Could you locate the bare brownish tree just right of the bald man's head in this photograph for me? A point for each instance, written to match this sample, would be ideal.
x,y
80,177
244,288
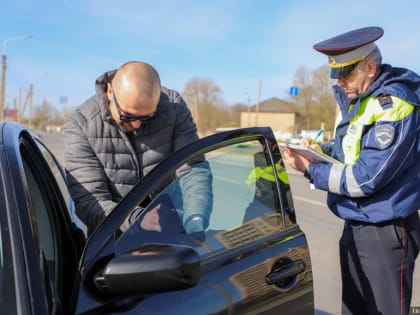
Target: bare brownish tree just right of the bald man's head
x,y
208,108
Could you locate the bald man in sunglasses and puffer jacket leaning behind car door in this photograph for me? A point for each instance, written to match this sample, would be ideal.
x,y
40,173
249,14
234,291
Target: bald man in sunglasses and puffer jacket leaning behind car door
x,y
120,134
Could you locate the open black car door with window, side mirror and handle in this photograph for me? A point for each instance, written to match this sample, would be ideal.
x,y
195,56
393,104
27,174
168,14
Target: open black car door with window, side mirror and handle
x,y
150,257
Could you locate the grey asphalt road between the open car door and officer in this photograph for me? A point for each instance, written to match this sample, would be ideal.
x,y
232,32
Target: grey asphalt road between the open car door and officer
x,y
323,231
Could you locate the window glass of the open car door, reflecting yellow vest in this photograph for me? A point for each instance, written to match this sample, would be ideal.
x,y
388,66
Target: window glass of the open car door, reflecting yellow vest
x,y
240,200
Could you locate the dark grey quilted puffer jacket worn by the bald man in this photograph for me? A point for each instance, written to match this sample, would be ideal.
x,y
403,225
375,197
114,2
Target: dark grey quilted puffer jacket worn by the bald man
x,y
103,165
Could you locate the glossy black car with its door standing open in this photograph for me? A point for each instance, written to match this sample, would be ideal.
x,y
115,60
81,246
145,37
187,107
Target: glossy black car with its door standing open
x,y
252,259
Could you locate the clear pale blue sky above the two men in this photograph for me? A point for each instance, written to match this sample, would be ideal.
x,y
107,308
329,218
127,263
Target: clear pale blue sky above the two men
x,y
240,45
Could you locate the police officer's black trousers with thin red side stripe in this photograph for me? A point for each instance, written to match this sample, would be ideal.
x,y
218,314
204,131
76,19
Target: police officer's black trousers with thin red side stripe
x,y
377,265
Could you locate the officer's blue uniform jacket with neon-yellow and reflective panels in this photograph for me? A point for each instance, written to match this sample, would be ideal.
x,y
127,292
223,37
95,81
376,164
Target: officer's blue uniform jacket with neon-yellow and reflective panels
x,y
378,140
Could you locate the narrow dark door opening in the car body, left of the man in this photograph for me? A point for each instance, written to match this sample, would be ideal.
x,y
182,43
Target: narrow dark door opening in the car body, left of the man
x,y
58,241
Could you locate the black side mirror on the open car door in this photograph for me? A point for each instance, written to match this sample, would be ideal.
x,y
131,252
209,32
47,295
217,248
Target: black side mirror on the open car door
x,y
149,269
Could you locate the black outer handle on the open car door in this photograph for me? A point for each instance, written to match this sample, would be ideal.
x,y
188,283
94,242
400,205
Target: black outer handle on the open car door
x,y
284,272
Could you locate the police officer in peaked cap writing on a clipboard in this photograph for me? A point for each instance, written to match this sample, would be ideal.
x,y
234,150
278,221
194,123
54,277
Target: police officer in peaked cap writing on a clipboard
x,y
377,188
